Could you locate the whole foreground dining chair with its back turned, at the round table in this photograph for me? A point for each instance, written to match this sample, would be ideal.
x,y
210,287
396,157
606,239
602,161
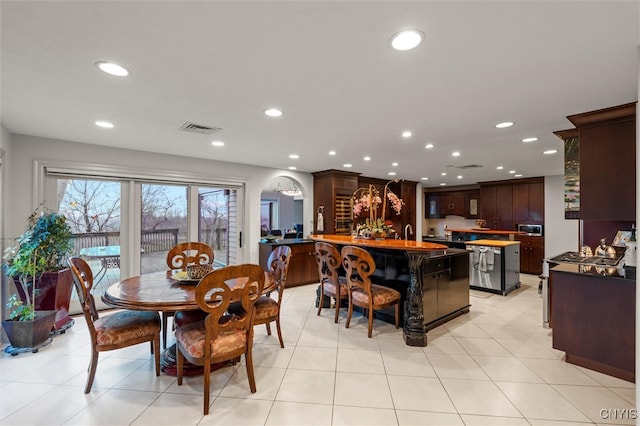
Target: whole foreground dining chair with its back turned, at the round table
x,y
222,336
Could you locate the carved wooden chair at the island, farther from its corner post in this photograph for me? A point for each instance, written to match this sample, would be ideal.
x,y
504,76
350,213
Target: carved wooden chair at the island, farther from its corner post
x,y
331,284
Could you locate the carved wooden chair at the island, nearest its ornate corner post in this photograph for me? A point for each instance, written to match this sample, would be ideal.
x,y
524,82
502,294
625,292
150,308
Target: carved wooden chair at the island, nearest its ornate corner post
x,y
359,265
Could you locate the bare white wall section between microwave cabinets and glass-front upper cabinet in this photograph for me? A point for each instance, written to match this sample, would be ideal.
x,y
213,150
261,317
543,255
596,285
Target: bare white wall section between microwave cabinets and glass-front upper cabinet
x,y
560,234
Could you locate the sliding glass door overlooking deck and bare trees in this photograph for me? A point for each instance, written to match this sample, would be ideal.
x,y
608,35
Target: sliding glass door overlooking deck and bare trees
x,y
125,227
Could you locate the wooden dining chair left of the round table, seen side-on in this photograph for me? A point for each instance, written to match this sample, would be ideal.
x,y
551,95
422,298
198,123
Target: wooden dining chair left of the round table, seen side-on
x,y
118,330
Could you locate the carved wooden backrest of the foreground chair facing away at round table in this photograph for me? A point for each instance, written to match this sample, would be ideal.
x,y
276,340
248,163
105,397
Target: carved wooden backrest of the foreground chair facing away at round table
x,y
239,284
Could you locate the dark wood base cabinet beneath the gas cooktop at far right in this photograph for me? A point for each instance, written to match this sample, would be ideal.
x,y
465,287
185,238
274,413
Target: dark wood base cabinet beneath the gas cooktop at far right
x,y
594,314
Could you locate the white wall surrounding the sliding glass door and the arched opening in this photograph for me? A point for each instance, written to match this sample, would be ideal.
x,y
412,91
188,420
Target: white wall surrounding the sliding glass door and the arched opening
x,y
24,150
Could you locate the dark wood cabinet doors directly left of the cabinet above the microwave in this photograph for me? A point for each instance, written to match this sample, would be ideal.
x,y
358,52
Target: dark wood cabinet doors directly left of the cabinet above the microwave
x,y
496,204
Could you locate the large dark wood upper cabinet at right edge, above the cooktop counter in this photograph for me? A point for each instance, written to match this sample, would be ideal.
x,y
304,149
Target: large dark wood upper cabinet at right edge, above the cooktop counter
x,y
607,139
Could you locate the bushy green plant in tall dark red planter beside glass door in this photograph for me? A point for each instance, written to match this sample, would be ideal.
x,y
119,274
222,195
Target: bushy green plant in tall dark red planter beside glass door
x,y
37,266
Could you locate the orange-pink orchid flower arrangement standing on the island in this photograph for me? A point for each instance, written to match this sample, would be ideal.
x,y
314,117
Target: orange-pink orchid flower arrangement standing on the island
x,y
369,200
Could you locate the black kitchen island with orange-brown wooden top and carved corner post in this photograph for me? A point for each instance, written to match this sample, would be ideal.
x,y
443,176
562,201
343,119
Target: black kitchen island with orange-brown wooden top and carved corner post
x,y
406,266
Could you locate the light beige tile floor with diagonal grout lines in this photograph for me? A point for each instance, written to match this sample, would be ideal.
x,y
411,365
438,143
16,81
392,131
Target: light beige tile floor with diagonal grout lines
x,y
492,366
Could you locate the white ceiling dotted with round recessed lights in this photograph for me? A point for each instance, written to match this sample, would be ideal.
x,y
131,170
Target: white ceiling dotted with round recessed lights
x,y
329,66
